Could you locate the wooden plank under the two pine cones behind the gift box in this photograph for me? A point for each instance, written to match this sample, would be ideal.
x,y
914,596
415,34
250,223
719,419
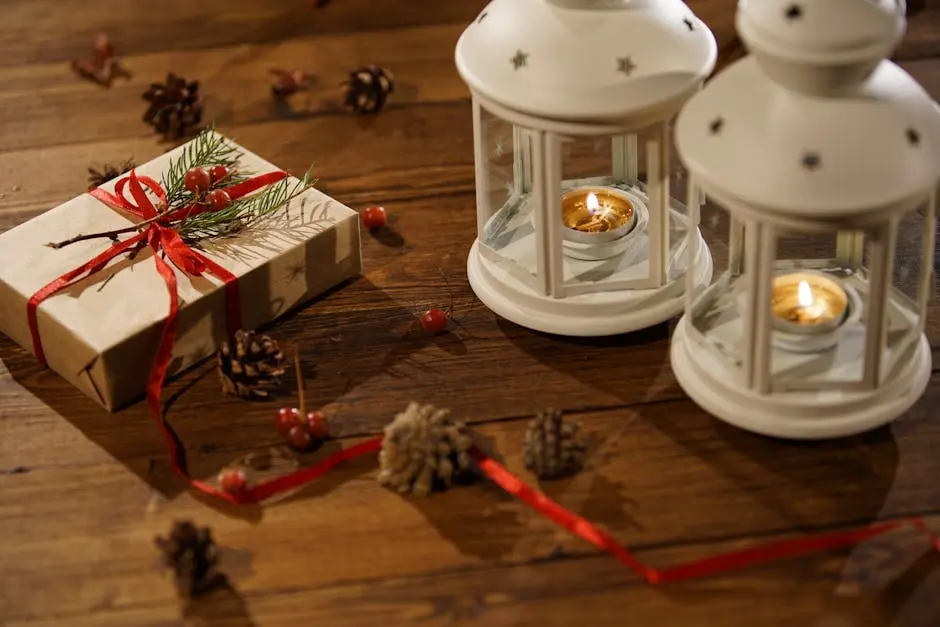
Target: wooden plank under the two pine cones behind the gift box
x,y
58,108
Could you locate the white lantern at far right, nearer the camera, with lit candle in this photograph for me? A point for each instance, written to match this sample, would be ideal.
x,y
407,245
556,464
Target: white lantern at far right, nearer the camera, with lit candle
x,y
826,158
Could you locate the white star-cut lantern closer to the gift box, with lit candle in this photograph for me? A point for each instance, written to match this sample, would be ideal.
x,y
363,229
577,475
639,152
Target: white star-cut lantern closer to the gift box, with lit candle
x,y
569,98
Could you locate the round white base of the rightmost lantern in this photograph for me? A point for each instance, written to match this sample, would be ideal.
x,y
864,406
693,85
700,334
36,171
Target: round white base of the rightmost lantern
x,y
803,415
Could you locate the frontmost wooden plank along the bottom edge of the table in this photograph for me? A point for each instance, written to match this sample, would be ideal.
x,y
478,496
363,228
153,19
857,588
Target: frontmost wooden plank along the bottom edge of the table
x,y
827,591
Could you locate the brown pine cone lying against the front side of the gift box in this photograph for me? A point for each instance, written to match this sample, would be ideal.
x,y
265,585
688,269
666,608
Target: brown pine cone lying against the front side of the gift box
x,y
250,365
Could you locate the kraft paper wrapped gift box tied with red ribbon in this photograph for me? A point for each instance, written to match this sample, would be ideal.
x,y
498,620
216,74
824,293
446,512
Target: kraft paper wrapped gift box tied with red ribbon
x,y
102,333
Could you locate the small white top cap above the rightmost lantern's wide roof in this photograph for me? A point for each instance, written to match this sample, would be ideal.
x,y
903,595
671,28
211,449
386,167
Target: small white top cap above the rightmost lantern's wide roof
x,y
819,28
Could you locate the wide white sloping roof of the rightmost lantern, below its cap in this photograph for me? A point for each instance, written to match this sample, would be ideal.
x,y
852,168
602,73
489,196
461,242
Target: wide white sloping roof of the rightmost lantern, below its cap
x,y
784,151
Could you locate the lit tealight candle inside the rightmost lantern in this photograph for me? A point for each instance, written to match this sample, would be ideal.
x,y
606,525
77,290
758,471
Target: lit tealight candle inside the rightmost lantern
x,y
806,302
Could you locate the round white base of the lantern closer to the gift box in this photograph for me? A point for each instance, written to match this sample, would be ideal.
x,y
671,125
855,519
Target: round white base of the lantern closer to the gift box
x,y
585,315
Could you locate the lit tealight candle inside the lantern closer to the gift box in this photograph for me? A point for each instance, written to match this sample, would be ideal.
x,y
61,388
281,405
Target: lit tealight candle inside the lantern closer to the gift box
x,y
594,215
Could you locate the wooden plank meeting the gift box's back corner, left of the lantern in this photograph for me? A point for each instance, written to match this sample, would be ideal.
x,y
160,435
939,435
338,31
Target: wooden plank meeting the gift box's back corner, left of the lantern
x,y
405,152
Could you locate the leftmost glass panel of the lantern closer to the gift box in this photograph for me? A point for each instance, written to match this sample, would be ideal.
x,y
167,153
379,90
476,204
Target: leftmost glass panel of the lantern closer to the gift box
x,y
508,233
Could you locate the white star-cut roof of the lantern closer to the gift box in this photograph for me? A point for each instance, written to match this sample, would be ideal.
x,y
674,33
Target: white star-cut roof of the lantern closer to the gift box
x,y
586,60
